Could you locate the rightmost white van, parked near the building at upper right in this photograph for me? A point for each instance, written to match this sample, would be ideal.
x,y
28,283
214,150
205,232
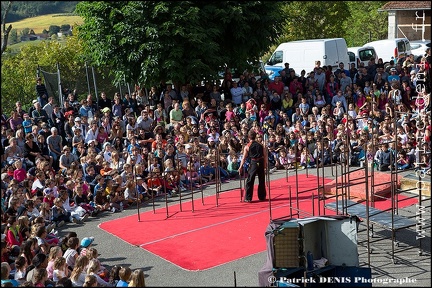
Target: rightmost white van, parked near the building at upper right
x,y
390,49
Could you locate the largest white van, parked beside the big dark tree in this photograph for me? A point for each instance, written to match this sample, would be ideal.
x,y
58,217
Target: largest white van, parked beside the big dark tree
x,y
302,54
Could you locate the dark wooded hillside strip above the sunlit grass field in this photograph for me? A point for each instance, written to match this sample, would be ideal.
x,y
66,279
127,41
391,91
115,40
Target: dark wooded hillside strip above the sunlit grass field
x,y
27,9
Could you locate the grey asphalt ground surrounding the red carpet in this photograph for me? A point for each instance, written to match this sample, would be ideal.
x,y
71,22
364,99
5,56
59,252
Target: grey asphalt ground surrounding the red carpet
x,y
406,269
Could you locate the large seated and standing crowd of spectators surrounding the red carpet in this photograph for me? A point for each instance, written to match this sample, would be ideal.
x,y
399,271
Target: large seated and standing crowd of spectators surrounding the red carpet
x,y
64,163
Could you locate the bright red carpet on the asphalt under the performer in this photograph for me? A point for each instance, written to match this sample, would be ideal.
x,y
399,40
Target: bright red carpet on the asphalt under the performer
x,y
212,236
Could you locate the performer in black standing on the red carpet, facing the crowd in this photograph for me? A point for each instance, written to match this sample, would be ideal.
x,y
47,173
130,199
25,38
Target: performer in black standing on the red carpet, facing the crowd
x,y
257,154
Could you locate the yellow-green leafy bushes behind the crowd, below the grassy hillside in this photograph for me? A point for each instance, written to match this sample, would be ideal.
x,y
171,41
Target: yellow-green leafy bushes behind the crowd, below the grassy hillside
x,y
19,71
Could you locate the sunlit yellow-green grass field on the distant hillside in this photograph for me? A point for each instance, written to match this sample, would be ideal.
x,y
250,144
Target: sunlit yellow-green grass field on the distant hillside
x,y
39,23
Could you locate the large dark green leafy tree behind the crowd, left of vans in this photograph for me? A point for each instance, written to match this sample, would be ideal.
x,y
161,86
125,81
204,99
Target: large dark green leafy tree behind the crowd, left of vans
x,y
149,41
